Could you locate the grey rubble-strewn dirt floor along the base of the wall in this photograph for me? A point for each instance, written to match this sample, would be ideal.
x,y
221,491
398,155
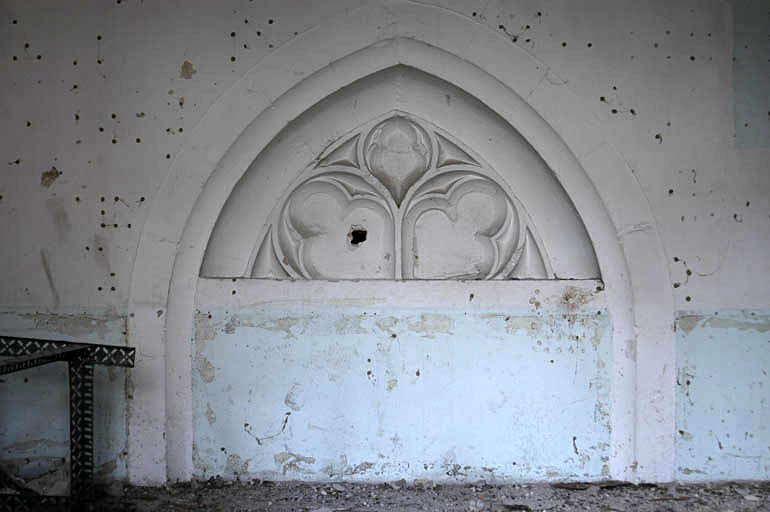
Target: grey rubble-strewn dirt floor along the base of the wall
x,y
219,495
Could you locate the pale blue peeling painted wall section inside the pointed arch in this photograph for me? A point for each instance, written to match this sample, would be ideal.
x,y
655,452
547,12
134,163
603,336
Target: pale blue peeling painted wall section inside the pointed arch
x,y
381,394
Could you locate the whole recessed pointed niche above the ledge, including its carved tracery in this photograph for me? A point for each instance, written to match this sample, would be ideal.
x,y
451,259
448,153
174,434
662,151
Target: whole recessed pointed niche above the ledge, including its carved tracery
x,y
438,183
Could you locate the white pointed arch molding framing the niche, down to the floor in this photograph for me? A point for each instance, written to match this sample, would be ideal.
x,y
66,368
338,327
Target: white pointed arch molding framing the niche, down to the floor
x,y
488,67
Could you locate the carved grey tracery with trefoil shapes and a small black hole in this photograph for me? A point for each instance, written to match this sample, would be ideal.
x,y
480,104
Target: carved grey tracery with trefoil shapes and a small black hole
x,y
399,199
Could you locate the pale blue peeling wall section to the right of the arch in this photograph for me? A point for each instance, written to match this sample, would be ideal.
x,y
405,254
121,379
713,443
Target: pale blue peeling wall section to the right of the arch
x,y
723,388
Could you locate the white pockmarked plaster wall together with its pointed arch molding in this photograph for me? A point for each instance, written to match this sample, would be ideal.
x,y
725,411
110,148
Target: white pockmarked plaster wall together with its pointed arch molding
x,y
631,105
